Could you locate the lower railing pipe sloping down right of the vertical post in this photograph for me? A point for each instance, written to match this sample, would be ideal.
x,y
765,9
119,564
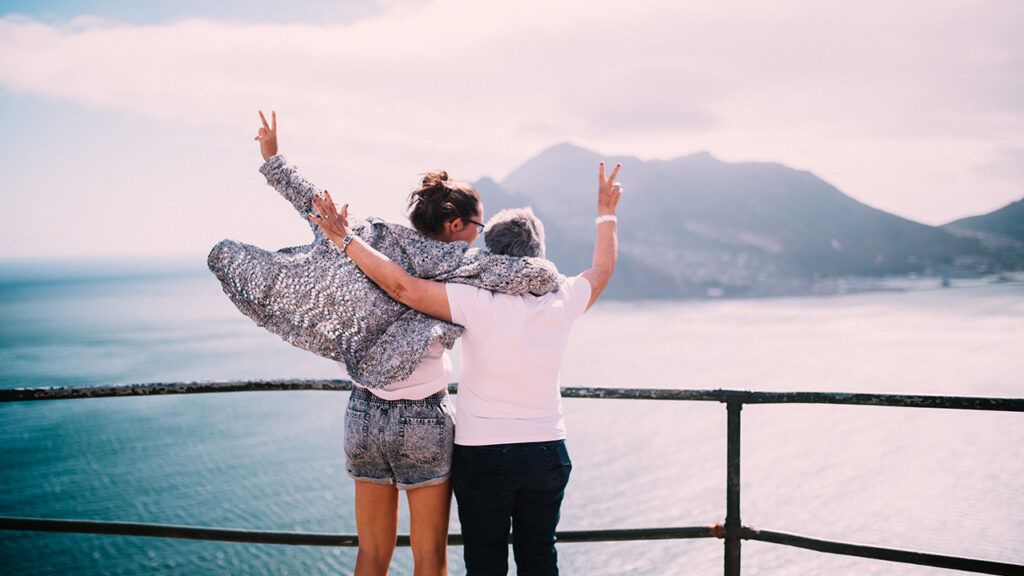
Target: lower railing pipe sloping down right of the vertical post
x,y
875,553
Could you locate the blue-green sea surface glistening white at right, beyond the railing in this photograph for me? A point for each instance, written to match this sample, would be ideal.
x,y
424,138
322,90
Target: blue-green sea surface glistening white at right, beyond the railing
x,y
938,481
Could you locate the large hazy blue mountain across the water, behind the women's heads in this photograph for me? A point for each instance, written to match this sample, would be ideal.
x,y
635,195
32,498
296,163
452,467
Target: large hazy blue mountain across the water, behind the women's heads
x,y
695,227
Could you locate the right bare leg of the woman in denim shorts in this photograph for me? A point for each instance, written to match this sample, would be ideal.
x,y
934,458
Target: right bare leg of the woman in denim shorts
x,y
430,509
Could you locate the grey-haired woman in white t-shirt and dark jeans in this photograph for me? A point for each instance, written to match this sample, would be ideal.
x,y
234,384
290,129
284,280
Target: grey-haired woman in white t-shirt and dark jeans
x,y
510,468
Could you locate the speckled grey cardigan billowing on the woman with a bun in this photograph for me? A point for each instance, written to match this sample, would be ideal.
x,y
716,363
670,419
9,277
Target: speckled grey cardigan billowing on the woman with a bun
x,y
315,297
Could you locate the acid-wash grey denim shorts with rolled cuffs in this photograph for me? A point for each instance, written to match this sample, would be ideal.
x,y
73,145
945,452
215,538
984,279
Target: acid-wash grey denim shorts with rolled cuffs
x,y
406,443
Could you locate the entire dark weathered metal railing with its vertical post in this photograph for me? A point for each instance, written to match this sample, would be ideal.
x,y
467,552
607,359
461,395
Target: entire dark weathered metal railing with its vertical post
x,y
733,532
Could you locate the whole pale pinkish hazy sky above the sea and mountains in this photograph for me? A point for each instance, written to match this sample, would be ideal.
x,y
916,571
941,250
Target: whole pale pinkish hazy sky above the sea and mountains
x,y
129,130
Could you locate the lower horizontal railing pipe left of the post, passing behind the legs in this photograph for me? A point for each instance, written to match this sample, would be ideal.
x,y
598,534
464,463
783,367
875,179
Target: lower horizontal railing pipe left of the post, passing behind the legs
x,y
311,540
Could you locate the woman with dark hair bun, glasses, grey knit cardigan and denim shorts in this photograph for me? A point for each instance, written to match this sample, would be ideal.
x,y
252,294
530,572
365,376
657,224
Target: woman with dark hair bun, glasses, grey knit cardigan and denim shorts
x,y
400,421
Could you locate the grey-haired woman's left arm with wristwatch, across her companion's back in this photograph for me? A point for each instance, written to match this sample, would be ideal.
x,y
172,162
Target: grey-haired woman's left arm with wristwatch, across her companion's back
x,y
425,296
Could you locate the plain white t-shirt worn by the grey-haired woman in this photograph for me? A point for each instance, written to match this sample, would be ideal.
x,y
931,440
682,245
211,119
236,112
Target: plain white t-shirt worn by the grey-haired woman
x,y
513,352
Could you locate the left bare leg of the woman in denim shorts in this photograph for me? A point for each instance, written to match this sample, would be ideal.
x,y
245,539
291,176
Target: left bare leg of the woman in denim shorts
x,y
377,526
